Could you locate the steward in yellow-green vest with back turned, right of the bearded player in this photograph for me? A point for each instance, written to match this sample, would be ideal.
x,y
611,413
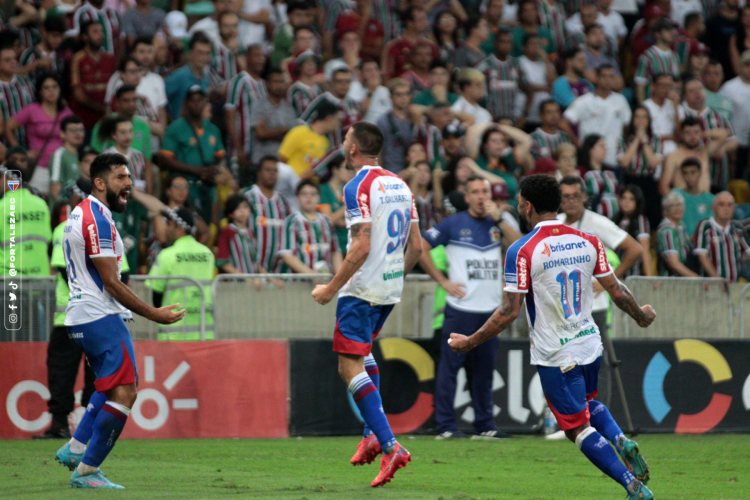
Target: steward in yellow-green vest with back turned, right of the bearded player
x,y
184,257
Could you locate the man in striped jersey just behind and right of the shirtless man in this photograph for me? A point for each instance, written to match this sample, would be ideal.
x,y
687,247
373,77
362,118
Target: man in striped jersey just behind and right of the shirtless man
x,y
714,126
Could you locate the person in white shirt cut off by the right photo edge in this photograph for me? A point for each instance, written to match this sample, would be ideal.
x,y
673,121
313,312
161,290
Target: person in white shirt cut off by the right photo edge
x,y
737,90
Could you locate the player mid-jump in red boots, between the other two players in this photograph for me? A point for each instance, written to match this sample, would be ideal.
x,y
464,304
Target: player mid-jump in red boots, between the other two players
x,y
384,245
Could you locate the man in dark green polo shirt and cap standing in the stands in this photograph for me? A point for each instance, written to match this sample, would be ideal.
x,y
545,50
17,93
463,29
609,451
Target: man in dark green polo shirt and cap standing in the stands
x,y
193,147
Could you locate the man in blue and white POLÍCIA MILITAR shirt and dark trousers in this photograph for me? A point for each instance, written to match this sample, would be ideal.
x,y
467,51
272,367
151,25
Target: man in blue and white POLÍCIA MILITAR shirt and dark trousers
x,y
472,242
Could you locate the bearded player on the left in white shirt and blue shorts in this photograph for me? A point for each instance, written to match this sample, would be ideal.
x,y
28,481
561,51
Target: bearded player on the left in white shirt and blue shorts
x,y
95,317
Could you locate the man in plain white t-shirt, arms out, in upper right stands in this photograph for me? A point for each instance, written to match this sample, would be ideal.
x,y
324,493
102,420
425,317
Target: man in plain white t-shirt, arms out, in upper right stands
x,y
600,112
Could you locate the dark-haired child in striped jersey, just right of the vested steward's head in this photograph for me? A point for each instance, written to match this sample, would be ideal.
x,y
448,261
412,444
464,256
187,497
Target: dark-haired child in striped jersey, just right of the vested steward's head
x,y
237,253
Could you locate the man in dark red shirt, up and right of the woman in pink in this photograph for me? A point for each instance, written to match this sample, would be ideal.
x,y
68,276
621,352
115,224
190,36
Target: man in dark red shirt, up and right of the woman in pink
x,y
90,70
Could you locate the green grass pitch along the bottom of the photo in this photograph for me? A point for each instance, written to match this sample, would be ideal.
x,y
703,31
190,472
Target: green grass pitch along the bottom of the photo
x,y
708,467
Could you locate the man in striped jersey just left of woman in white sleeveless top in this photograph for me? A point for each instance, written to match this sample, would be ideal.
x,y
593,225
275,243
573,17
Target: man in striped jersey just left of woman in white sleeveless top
x,y
504,78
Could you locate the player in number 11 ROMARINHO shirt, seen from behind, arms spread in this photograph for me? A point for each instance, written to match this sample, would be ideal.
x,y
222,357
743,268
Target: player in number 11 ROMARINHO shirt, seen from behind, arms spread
x,y
552,267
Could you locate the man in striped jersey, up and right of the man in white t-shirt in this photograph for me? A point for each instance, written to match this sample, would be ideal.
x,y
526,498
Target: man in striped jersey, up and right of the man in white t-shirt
x,y
657,59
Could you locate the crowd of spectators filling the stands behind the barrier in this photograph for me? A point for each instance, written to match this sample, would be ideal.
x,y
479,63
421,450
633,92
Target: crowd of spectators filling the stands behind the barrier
x,y
231,115
